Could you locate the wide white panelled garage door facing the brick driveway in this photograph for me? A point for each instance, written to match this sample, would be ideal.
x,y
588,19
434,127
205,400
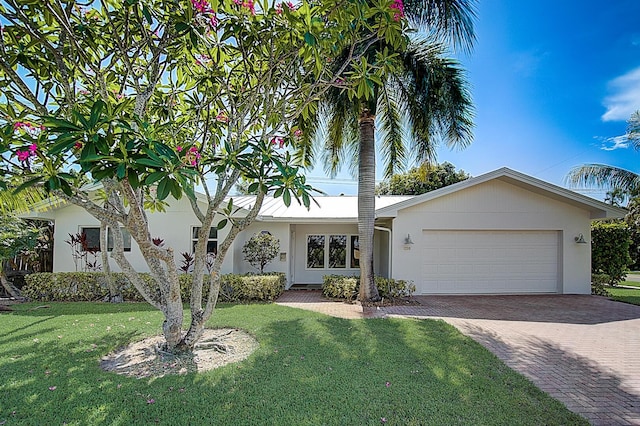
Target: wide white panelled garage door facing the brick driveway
x,y
485,262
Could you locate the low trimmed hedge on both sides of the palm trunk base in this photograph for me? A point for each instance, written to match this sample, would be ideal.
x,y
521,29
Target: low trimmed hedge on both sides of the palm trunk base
x,y
347,287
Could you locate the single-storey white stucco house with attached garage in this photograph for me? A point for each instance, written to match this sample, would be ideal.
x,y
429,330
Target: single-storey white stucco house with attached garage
x,y
503,232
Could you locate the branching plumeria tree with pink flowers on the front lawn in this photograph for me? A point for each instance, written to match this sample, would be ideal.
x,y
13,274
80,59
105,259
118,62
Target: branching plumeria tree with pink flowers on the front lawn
x,y
151,98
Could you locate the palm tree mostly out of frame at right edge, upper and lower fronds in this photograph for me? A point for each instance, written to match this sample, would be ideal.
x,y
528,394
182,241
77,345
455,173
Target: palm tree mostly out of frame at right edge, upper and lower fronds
x,y
605,176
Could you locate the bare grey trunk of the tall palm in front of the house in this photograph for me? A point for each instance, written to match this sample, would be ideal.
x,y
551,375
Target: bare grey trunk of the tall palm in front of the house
x,y
366,206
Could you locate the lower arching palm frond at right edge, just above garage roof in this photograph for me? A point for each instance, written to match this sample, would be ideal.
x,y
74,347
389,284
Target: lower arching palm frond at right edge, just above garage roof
x,y
604,176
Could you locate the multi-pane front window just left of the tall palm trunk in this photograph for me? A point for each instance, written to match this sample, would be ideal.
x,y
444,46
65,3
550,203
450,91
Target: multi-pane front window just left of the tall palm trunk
x,y
332,252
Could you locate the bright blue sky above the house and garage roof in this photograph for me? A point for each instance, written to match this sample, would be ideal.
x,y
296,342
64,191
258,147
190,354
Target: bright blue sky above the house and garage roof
x,y
553,83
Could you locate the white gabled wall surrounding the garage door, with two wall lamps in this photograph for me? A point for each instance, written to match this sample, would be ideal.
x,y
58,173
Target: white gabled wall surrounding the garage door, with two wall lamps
x,y
496,205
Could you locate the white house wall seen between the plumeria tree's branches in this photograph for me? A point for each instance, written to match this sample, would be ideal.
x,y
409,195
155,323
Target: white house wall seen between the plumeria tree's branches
x,y
173,226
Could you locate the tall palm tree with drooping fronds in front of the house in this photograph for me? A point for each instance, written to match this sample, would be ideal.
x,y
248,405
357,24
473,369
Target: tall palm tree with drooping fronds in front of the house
x,y
428,91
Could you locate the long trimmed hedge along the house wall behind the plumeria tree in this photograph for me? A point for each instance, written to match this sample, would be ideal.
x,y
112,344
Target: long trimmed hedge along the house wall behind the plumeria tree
x,y
92,286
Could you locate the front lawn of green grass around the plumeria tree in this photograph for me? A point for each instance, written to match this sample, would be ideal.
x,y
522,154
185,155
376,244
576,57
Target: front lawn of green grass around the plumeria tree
x,y
310,369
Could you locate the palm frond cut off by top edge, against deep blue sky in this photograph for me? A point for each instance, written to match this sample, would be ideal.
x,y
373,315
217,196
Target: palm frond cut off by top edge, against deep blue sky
x,y
451,21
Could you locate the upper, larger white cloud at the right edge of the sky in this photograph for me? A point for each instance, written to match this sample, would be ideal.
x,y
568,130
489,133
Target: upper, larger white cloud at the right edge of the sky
x,y
625,99
